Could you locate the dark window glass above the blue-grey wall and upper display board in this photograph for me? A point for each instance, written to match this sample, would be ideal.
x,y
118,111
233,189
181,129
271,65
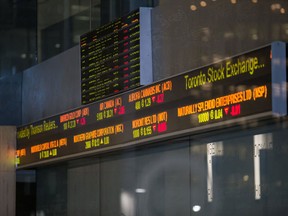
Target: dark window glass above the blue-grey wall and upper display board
x,y
60,23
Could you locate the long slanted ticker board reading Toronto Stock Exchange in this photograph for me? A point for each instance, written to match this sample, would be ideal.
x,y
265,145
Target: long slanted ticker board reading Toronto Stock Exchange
x,y
226,92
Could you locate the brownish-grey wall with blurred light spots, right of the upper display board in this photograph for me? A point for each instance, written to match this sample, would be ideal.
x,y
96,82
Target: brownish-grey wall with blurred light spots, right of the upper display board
x,y
184,39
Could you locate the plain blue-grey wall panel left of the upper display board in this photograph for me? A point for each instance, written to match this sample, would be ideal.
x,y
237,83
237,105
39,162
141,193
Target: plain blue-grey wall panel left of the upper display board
x,y
52,87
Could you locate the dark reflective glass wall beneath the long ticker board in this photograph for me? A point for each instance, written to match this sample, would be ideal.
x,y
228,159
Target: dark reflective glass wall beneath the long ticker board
x,y
241,173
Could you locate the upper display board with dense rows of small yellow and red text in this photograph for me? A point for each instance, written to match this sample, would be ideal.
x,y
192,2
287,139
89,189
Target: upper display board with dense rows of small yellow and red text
x,y
110,57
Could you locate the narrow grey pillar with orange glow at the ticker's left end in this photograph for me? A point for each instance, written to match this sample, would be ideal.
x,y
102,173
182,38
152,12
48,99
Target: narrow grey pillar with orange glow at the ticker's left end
x,y
7,170
